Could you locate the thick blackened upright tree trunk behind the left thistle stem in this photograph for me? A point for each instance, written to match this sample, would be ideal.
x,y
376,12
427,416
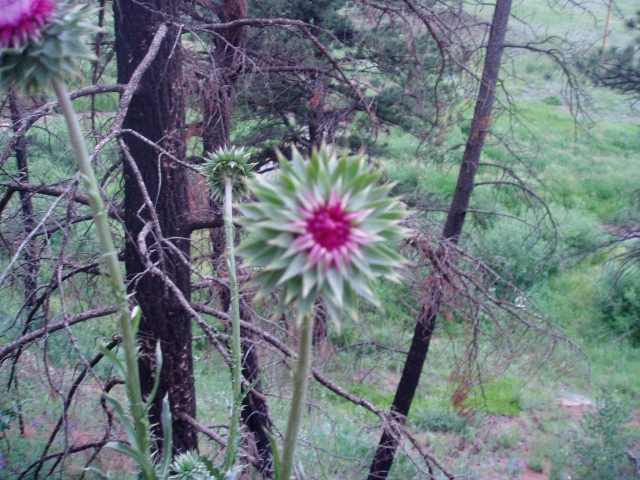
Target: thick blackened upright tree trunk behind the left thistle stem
x,y
157,111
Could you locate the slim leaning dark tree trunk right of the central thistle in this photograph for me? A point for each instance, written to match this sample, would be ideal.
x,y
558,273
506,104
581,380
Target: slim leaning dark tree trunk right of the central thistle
x,y
426,321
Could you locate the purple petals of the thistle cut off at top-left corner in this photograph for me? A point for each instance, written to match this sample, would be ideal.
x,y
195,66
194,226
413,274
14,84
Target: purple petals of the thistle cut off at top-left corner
x,y
21,20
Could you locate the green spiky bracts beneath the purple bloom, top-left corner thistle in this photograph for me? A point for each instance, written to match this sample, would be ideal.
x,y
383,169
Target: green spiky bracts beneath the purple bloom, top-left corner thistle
x,y
52,56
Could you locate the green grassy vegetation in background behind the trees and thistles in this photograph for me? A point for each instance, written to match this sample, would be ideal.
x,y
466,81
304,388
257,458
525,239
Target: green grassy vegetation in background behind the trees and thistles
x,y
571,416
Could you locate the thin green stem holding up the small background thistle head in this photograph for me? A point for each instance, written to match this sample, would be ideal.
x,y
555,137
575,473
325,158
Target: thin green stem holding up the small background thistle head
x,y
236,352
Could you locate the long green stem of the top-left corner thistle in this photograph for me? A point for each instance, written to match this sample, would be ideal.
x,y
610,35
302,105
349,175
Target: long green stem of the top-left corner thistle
x,y
110,255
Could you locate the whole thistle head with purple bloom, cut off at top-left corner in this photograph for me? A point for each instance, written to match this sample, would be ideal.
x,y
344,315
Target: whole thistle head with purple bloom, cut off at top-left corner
x,y
40,41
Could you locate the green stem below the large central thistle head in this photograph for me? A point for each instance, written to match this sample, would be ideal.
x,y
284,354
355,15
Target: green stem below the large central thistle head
x,y
299,395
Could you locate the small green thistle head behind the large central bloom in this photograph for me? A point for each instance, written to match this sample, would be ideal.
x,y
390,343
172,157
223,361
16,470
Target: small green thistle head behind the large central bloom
x,y
227,163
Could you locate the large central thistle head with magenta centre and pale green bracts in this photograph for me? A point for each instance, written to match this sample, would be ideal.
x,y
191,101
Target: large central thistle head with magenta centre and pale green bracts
x,y
322,232
